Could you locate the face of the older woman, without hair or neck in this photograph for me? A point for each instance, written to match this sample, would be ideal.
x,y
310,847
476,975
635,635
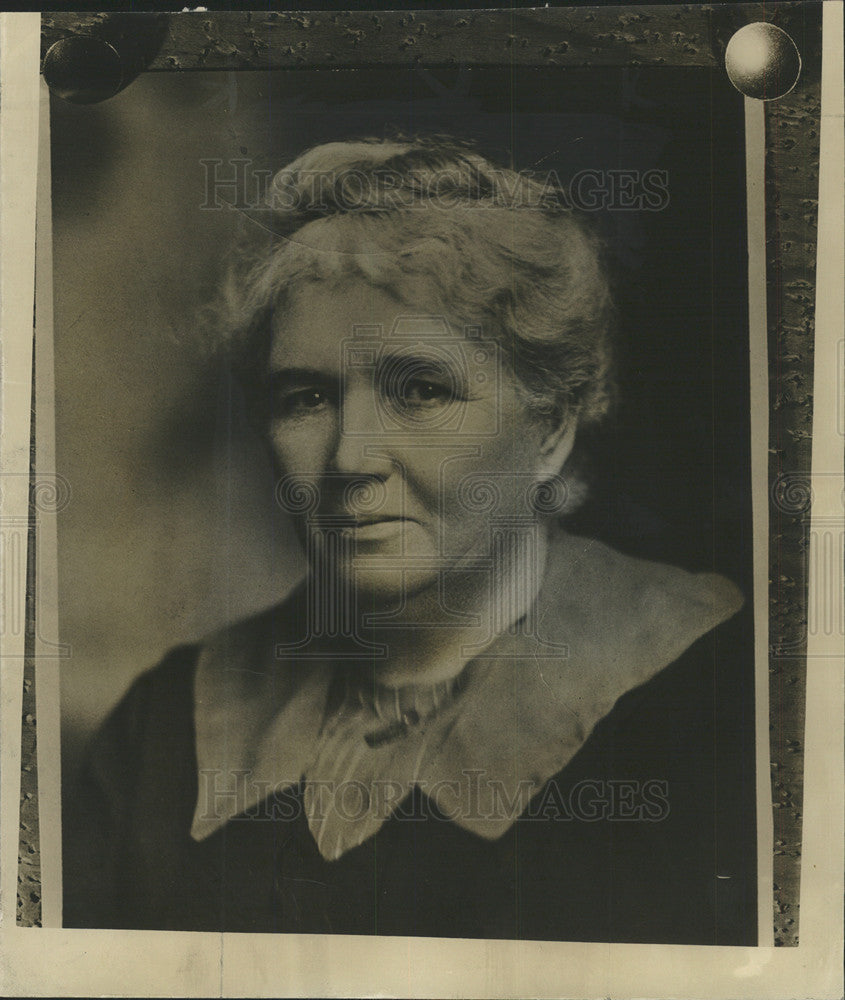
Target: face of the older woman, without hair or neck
x,y
408,433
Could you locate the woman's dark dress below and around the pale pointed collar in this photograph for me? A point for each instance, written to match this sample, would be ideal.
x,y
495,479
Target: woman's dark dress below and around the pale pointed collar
x,y
647,835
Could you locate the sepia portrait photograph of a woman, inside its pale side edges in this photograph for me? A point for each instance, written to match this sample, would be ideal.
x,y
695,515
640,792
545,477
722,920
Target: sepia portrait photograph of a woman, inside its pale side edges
x,y
411,470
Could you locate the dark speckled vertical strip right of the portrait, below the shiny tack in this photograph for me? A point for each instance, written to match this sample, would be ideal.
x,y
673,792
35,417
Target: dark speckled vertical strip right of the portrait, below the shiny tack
x,y
792,185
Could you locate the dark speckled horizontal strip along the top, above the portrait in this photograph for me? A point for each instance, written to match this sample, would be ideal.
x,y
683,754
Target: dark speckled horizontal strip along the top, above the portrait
x,y
598,36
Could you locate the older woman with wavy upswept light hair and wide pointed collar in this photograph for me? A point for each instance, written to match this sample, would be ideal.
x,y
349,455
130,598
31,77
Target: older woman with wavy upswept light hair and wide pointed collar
x,y
464,721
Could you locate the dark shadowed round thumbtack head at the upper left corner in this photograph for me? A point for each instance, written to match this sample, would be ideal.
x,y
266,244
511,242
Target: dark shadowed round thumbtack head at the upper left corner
x,y
83,69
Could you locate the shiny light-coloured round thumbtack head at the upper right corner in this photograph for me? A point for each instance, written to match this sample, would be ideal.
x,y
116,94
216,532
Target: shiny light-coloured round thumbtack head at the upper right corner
x,y
762,61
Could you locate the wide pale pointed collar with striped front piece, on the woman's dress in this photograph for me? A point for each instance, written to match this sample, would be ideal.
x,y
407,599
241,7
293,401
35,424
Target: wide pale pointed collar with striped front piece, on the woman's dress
x,y
603,624
